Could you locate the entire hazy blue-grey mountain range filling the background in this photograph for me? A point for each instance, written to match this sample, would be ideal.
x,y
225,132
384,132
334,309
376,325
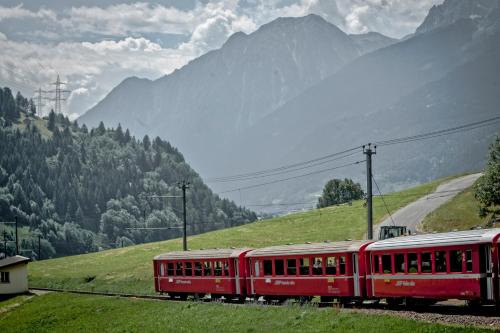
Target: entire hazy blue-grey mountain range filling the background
x,y
299,88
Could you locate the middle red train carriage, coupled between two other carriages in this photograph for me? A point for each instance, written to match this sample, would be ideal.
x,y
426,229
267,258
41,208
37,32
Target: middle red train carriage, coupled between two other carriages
x,y
330,270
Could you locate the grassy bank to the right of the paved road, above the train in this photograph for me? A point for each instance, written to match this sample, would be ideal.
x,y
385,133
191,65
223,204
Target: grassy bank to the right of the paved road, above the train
x,y
459,213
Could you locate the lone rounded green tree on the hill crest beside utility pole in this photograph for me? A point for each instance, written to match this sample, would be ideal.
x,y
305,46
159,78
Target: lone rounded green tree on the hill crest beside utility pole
x,y
338,191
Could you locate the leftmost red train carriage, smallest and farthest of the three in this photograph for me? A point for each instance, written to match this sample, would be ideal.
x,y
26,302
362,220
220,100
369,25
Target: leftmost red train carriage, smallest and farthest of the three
x,y
218,272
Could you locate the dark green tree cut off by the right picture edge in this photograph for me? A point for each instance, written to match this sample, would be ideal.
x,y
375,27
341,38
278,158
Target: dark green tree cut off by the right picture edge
x,y
487,188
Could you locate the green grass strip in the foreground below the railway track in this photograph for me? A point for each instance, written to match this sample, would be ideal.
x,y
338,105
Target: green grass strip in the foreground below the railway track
x,y
81,313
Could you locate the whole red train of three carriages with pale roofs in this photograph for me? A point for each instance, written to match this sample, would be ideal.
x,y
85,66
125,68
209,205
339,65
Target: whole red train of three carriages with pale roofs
x,y
414,269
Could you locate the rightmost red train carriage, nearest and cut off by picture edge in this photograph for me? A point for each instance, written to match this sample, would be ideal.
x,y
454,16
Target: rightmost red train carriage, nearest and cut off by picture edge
x,y
453,265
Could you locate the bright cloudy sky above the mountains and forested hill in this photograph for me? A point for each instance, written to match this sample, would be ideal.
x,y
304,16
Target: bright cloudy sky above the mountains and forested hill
x,y
93,45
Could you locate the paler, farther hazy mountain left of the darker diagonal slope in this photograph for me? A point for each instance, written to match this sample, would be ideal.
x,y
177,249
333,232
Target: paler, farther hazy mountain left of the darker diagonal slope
x,y
203,106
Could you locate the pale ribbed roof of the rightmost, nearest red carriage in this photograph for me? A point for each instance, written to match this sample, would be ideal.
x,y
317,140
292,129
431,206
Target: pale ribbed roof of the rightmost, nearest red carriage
x,y
440,239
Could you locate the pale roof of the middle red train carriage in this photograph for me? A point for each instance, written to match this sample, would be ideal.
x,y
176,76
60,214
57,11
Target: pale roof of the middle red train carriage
x,y
313,248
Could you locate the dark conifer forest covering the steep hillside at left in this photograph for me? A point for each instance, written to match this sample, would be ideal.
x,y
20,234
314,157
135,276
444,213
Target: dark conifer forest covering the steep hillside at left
x,y
82,189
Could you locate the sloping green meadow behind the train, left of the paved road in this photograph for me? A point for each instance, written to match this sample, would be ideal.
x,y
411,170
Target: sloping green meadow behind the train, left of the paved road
x,y
129,269
